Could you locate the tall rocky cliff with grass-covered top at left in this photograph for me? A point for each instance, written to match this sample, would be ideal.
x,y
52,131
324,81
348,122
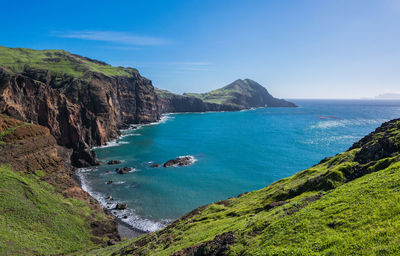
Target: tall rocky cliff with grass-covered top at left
x,y
83,102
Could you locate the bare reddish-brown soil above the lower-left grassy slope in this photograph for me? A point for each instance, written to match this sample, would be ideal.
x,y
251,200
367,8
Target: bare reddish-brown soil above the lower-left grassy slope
x,y
29,148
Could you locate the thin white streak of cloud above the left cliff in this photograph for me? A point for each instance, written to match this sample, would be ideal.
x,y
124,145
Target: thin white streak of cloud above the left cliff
x,y
114,37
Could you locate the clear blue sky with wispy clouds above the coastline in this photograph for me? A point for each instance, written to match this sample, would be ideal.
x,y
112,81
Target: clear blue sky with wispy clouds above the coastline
x,y
296,49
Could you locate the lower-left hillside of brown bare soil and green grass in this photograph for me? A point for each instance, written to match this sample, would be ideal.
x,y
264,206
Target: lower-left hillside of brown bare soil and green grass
x,y
42,211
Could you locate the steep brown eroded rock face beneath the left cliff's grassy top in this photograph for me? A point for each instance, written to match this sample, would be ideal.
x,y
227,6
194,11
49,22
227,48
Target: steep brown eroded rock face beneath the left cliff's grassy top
x,y
80,112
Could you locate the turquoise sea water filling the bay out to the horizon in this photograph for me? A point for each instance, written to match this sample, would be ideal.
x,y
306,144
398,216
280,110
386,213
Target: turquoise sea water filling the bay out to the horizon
x,y
235,152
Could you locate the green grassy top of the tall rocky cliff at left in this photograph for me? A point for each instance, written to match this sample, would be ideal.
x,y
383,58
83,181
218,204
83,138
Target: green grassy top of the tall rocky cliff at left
x,y
59,62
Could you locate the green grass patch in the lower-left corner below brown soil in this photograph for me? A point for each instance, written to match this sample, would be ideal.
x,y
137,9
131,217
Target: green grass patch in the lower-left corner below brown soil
x,y
36,220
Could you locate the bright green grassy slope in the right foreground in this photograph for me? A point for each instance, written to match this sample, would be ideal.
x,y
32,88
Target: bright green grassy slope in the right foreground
x,y
324,210
